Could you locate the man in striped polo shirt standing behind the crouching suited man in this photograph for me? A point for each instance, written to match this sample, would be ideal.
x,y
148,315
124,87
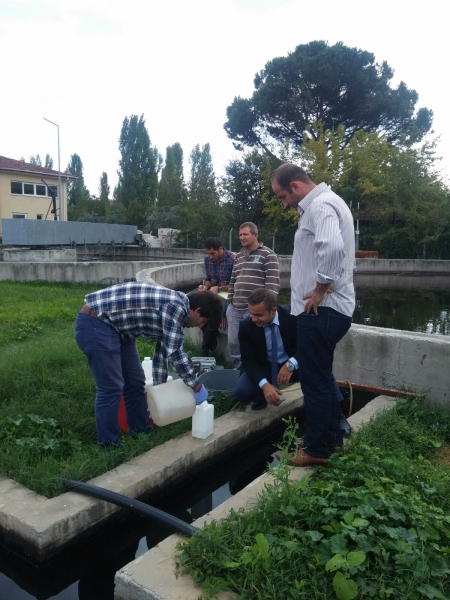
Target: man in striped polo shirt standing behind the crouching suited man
x,y
256,266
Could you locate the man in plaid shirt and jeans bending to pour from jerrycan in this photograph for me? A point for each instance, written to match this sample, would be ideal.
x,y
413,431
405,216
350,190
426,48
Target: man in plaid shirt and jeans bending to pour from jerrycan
x,y
105,330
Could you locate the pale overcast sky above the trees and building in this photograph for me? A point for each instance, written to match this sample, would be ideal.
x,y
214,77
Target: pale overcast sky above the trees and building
x,y
86,64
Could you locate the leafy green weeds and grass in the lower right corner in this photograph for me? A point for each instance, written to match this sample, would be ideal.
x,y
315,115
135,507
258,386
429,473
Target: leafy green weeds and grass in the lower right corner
x,y
374,524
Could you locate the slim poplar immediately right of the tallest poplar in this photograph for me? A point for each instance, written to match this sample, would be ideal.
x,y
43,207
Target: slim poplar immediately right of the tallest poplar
x,y
172,189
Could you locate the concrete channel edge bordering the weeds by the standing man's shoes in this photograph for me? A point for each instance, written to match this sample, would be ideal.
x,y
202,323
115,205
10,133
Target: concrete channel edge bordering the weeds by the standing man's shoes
x,y
152,575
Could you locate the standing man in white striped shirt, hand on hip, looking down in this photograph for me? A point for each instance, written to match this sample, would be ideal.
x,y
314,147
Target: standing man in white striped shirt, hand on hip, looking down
x,y
323,299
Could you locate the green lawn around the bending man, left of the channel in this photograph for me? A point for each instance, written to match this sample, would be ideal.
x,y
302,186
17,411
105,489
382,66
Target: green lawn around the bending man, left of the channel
x,y
43,373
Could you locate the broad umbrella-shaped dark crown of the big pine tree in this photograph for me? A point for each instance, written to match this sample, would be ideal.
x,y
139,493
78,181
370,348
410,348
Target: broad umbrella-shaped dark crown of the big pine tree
x,y
333,84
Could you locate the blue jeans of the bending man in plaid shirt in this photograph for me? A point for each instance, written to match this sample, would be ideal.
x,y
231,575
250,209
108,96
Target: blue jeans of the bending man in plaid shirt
x,y
116,367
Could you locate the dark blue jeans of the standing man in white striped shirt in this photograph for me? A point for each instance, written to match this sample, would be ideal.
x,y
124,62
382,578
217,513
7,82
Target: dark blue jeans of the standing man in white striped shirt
x,y
317,337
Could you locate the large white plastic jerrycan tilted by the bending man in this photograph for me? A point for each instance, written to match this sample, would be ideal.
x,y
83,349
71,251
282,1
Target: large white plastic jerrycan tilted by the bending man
x,y
170,402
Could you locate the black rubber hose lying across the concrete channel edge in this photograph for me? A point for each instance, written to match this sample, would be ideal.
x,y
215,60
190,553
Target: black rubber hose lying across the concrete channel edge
x,y
135,505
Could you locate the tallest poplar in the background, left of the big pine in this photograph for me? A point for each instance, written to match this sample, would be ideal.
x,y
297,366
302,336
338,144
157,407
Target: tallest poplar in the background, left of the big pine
x,y
139,166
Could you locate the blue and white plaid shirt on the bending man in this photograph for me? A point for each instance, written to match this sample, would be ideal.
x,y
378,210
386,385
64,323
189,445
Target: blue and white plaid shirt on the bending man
x,y
143,309
